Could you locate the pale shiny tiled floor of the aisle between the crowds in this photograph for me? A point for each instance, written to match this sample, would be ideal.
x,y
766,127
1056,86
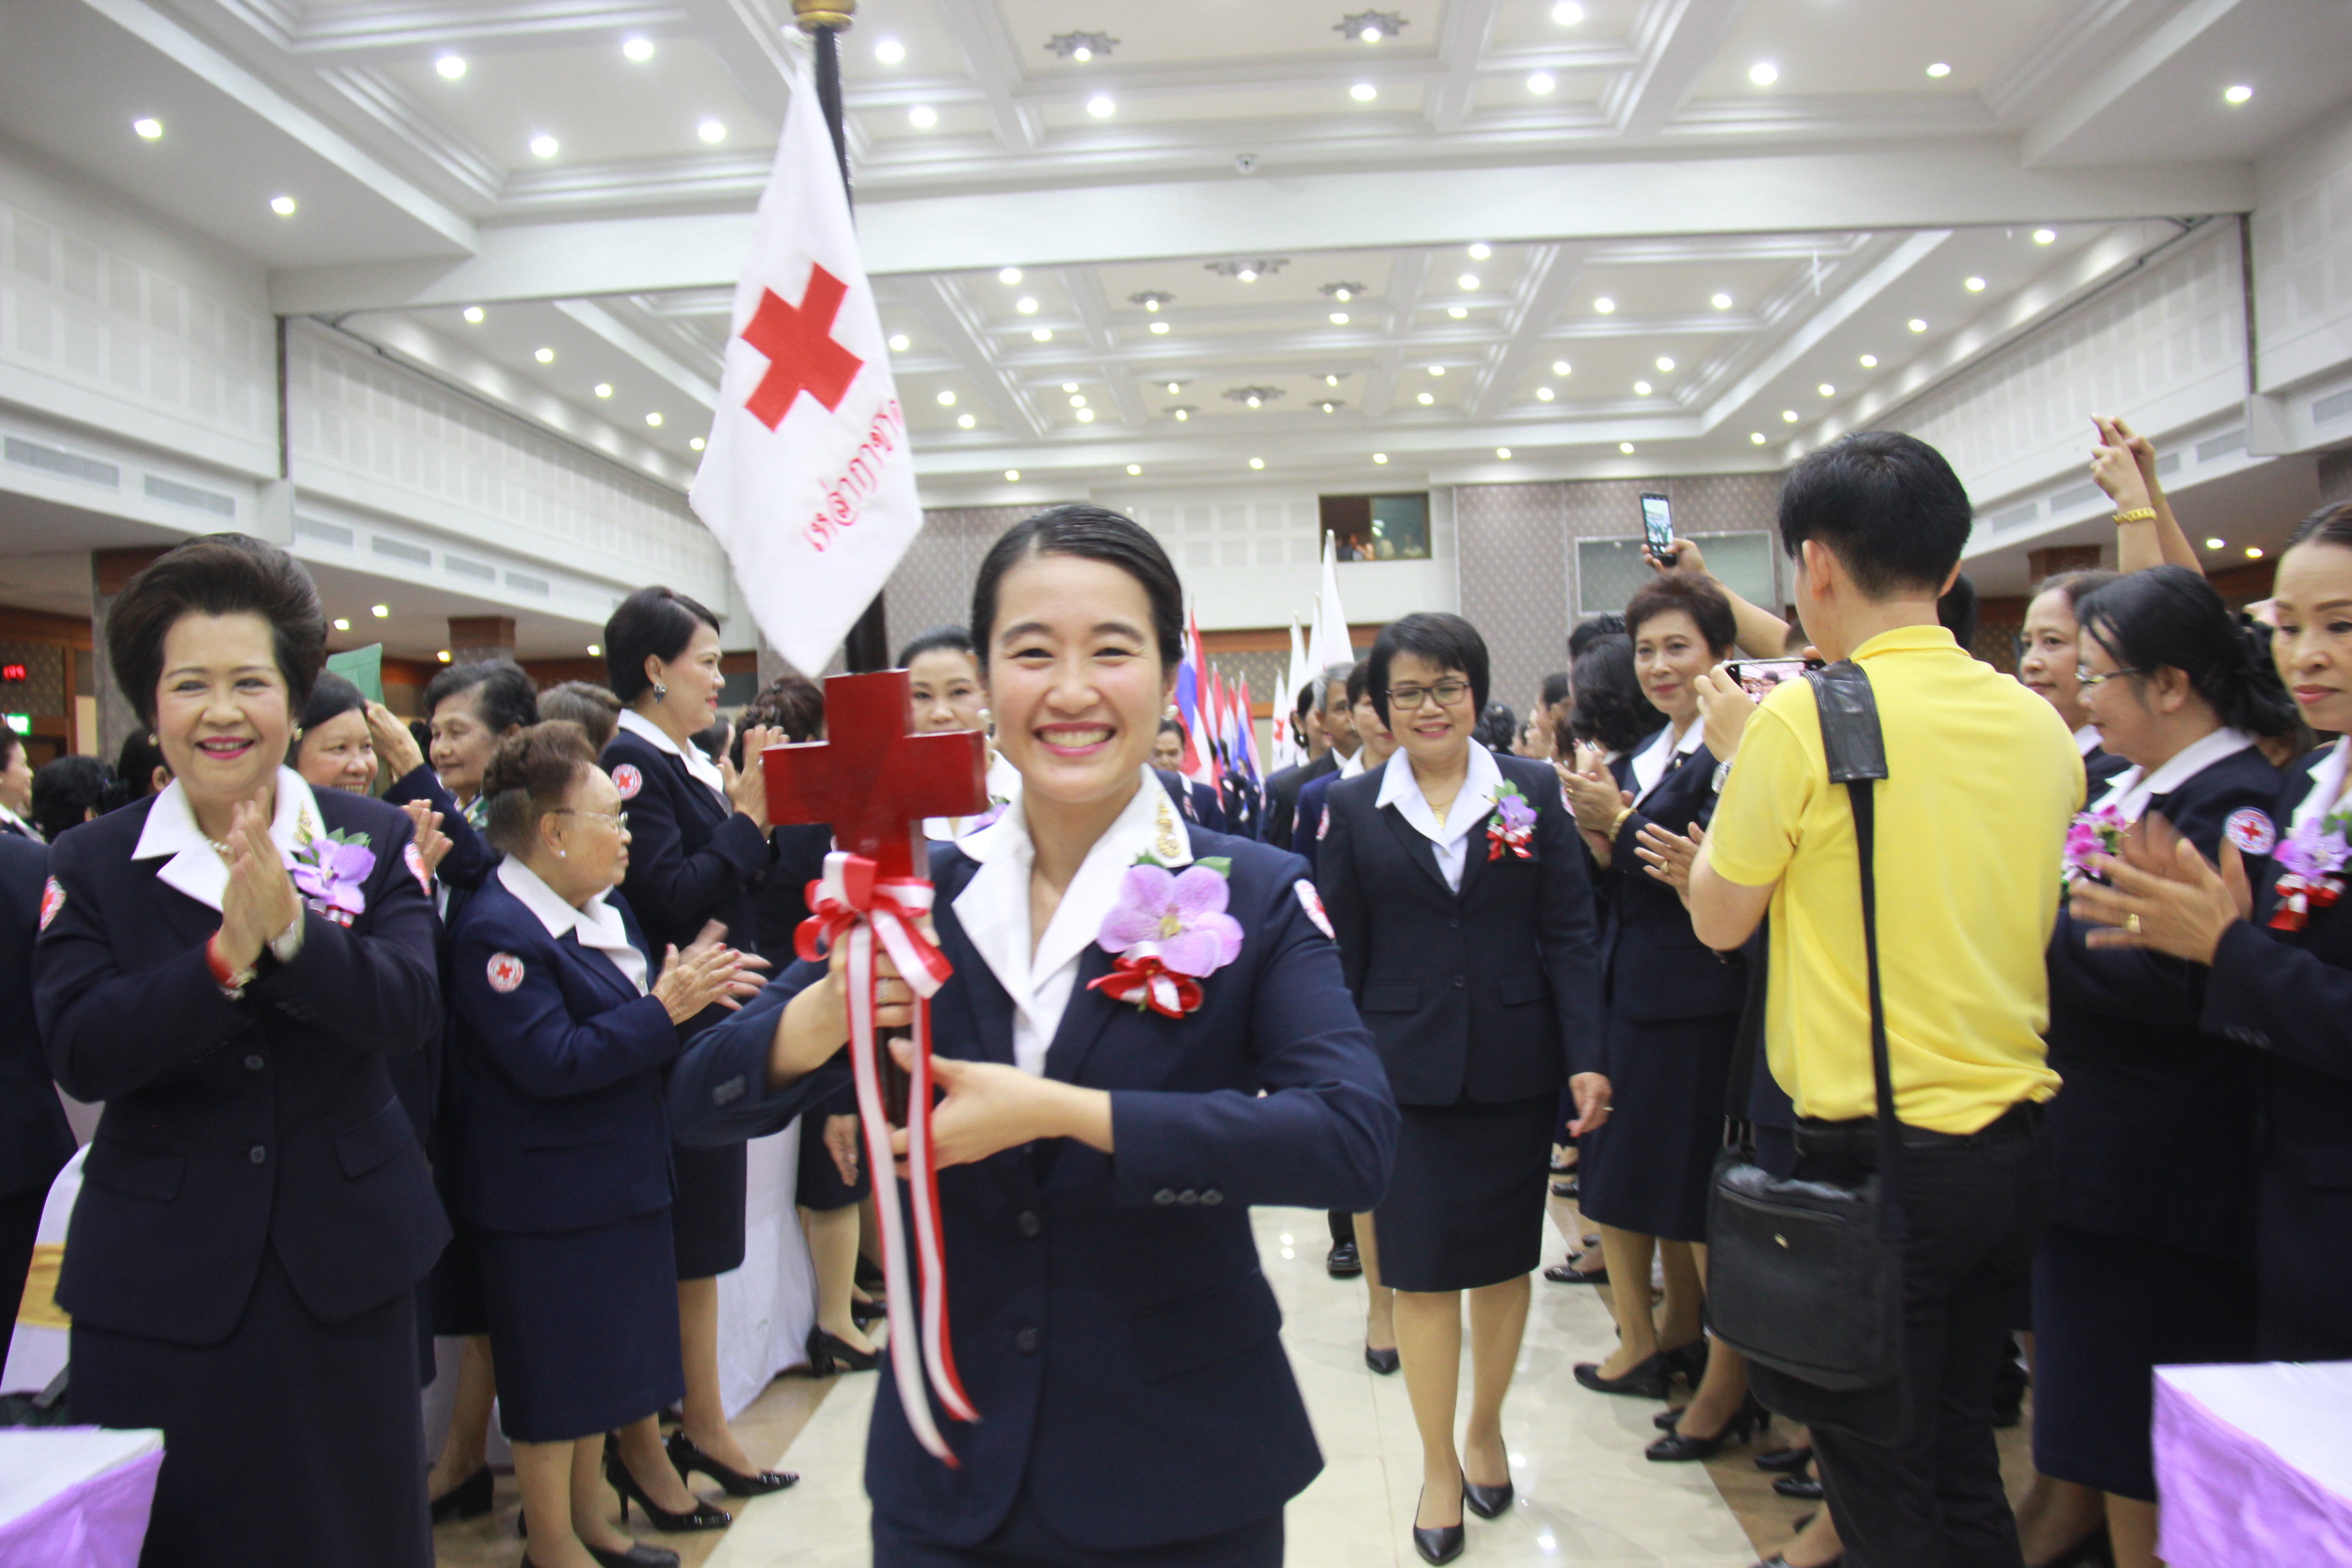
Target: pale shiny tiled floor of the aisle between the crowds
x,y
1586,1494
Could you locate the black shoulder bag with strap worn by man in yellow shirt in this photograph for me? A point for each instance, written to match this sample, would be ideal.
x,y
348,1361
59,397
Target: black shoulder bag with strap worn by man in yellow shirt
x,y
1805,1278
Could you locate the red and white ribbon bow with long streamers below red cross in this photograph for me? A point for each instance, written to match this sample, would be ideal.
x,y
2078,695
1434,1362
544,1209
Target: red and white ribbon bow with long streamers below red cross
x,y
853,902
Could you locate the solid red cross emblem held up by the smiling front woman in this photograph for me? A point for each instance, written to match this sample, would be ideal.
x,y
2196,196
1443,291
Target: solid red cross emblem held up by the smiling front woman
x,y
871,779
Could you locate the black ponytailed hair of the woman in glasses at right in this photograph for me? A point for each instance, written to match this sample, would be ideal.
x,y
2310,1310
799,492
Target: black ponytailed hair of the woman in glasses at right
x,y
2170,617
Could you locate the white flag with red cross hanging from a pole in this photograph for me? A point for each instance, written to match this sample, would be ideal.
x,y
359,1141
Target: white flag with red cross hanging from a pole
x,y
808,483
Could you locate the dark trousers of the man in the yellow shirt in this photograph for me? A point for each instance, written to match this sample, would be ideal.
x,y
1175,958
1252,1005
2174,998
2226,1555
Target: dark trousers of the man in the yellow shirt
x,y
1975,1212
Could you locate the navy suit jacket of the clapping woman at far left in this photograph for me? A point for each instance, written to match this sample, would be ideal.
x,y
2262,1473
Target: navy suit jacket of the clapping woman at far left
x,y
236,1125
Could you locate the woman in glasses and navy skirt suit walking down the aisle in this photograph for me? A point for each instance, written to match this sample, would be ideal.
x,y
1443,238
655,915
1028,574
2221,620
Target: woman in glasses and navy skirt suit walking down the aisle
x,y
1466,934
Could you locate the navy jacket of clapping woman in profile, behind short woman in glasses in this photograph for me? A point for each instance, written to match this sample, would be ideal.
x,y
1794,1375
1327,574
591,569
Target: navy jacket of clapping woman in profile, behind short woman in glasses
x,y
690,855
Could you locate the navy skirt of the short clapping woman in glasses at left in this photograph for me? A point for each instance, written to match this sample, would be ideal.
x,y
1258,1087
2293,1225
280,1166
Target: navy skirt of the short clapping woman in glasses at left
x,y
582,1327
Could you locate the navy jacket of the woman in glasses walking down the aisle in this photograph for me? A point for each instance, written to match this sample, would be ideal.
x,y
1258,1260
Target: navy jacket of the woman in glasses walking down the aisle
x,y
1481,996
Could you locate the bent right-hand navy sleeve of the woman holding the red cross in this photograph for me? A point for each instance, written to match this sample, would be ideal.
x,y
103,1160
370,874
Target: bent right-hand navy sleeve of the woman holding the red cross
x,y
1323,1134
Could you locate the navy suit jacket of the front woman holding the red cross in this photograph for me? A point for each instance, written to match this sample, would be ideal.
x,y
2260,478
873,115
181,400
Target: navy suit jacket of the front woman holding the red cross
x,y
1109,1313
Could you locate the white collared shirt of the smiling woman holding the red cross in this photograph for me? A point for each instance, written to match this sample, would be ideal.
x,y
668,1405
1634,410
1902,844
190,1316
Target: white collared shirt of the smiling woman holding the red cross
x,y
996,911
